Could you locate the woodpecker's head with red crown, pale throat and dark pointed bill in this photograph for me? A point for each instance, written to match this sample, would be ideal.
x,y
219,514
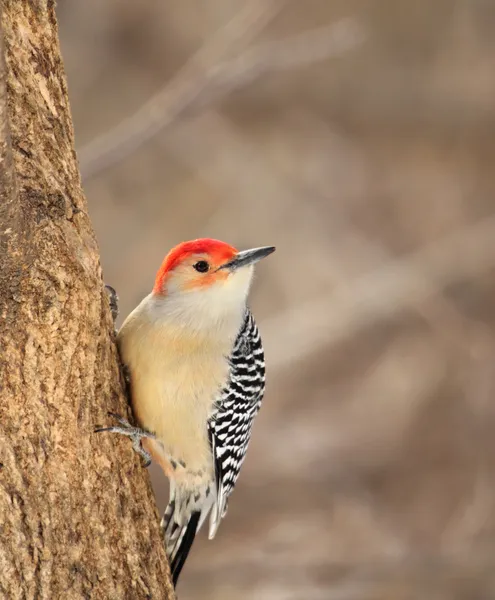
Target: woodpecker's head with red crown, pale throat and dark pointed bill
x,y
208,276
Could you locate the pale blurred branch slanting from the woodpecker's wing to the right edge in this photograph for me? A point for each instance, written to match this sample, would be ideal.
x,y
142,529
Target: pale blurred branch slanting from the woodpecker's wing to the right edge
x,y
399,284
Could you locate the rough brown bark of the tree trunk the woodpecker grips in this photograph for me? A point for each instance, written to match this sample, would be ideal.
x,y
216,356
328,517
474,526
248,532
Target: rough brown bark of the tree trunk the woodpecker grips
x,y
77,514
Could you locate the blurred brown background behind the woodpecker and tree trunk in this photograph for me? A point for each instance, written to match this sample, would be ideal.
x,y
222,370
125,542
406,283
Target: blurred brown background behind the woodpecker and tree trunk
x,y
364,151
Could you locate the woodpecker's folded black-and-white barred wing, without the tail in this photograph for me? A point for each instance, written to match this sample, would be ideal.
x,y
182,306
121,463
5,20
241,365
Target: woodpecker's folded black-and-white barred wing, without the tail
x,y
230,427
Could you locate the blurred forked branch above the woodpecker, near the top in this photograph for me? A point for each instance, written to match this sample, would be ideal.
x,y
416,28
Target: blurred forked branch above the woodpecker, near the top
x,y
220,76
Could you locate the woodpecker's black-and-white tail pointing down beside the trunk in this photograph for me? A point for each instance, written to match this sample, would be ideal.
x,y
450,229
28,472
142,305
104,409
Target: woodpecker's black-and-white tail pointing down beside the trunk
x,y
181,521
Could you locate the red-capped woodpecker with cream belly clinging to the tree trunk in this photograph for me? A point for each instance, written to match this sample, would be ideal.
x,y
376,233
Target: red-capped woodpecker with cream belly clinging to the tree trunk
x,y
196,370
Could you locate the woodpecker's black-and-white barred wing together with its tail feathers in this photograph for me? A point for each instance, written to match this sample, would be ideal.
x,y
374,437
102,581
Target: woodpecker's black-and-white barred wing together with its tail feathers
x,y
229,430
